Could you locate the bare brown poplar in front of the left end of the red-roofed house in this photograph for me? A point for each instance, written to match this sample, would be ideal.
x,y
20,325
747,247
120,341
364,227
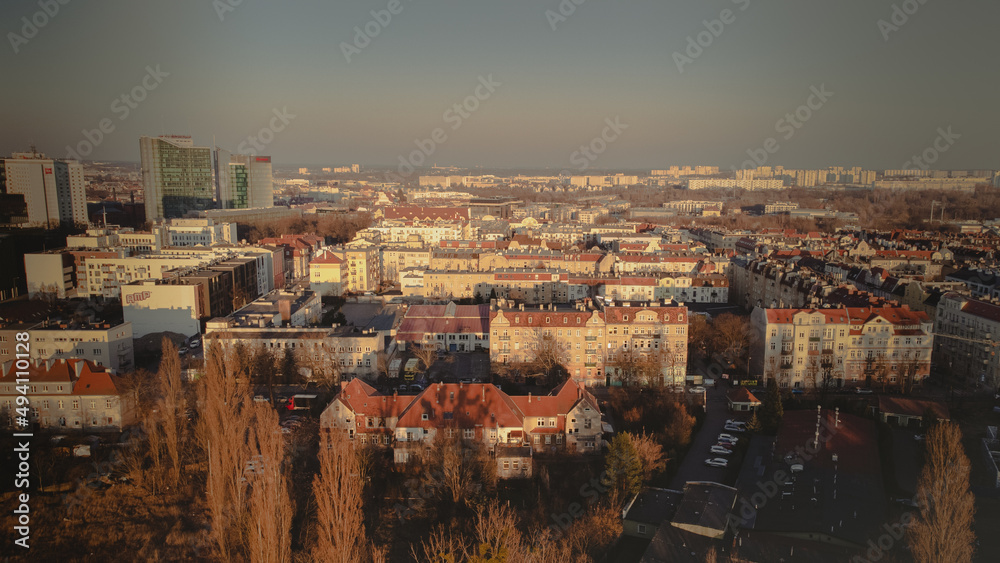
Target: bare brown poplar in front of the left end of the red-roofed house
x,y
338,491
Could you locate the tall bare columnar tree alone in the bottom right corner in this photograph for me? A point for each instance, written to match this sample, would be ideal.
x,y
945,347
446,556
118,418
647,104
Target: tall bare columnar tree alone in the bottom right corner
x,y
942,531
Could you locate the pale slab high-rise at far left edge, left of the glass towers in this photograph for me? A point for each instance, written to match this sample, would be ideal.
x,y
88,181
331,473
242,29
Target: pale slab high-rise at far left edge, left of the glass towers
x,y
53,190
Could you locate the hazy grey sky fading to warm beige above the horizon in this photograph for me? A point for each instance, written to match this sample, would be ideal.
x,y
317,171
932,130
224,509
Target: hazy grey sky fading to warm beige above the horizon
x,y
609,58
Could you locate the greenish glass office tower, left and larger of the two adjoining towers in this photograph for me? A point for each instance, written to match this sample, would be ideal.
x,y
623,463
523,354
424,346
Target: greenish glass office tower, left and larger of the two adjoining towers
x,y
176,176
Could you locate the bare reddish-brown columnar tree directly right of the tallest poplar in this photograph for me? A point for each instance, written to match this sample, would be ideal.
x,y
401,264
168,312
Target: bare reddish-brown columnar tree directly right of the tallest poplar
x,y
267,528
